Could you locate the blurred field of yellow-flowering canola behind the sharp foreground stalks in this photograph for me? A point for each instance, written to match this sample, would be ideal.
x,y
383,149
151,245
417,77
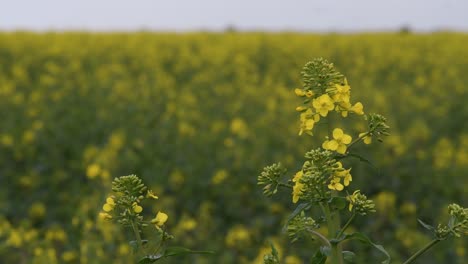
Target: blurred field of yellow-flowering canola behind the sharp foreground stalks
x,y
197,116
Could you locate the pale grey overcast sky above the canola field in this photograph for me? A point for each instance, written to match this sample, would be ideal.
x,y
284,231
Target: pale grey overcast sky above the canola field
x,y
271,15
